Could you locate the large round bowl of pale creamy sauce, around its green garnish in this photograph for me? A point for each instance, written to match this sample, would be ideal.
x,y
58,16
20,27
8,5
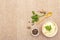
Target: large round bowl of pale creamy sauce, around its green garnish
x,y
54,29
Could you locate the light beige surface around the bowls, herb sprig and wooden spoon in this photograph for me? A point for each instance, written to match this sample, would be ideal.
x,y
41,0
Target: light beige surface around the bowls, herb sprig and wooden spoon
x,y
15,14
